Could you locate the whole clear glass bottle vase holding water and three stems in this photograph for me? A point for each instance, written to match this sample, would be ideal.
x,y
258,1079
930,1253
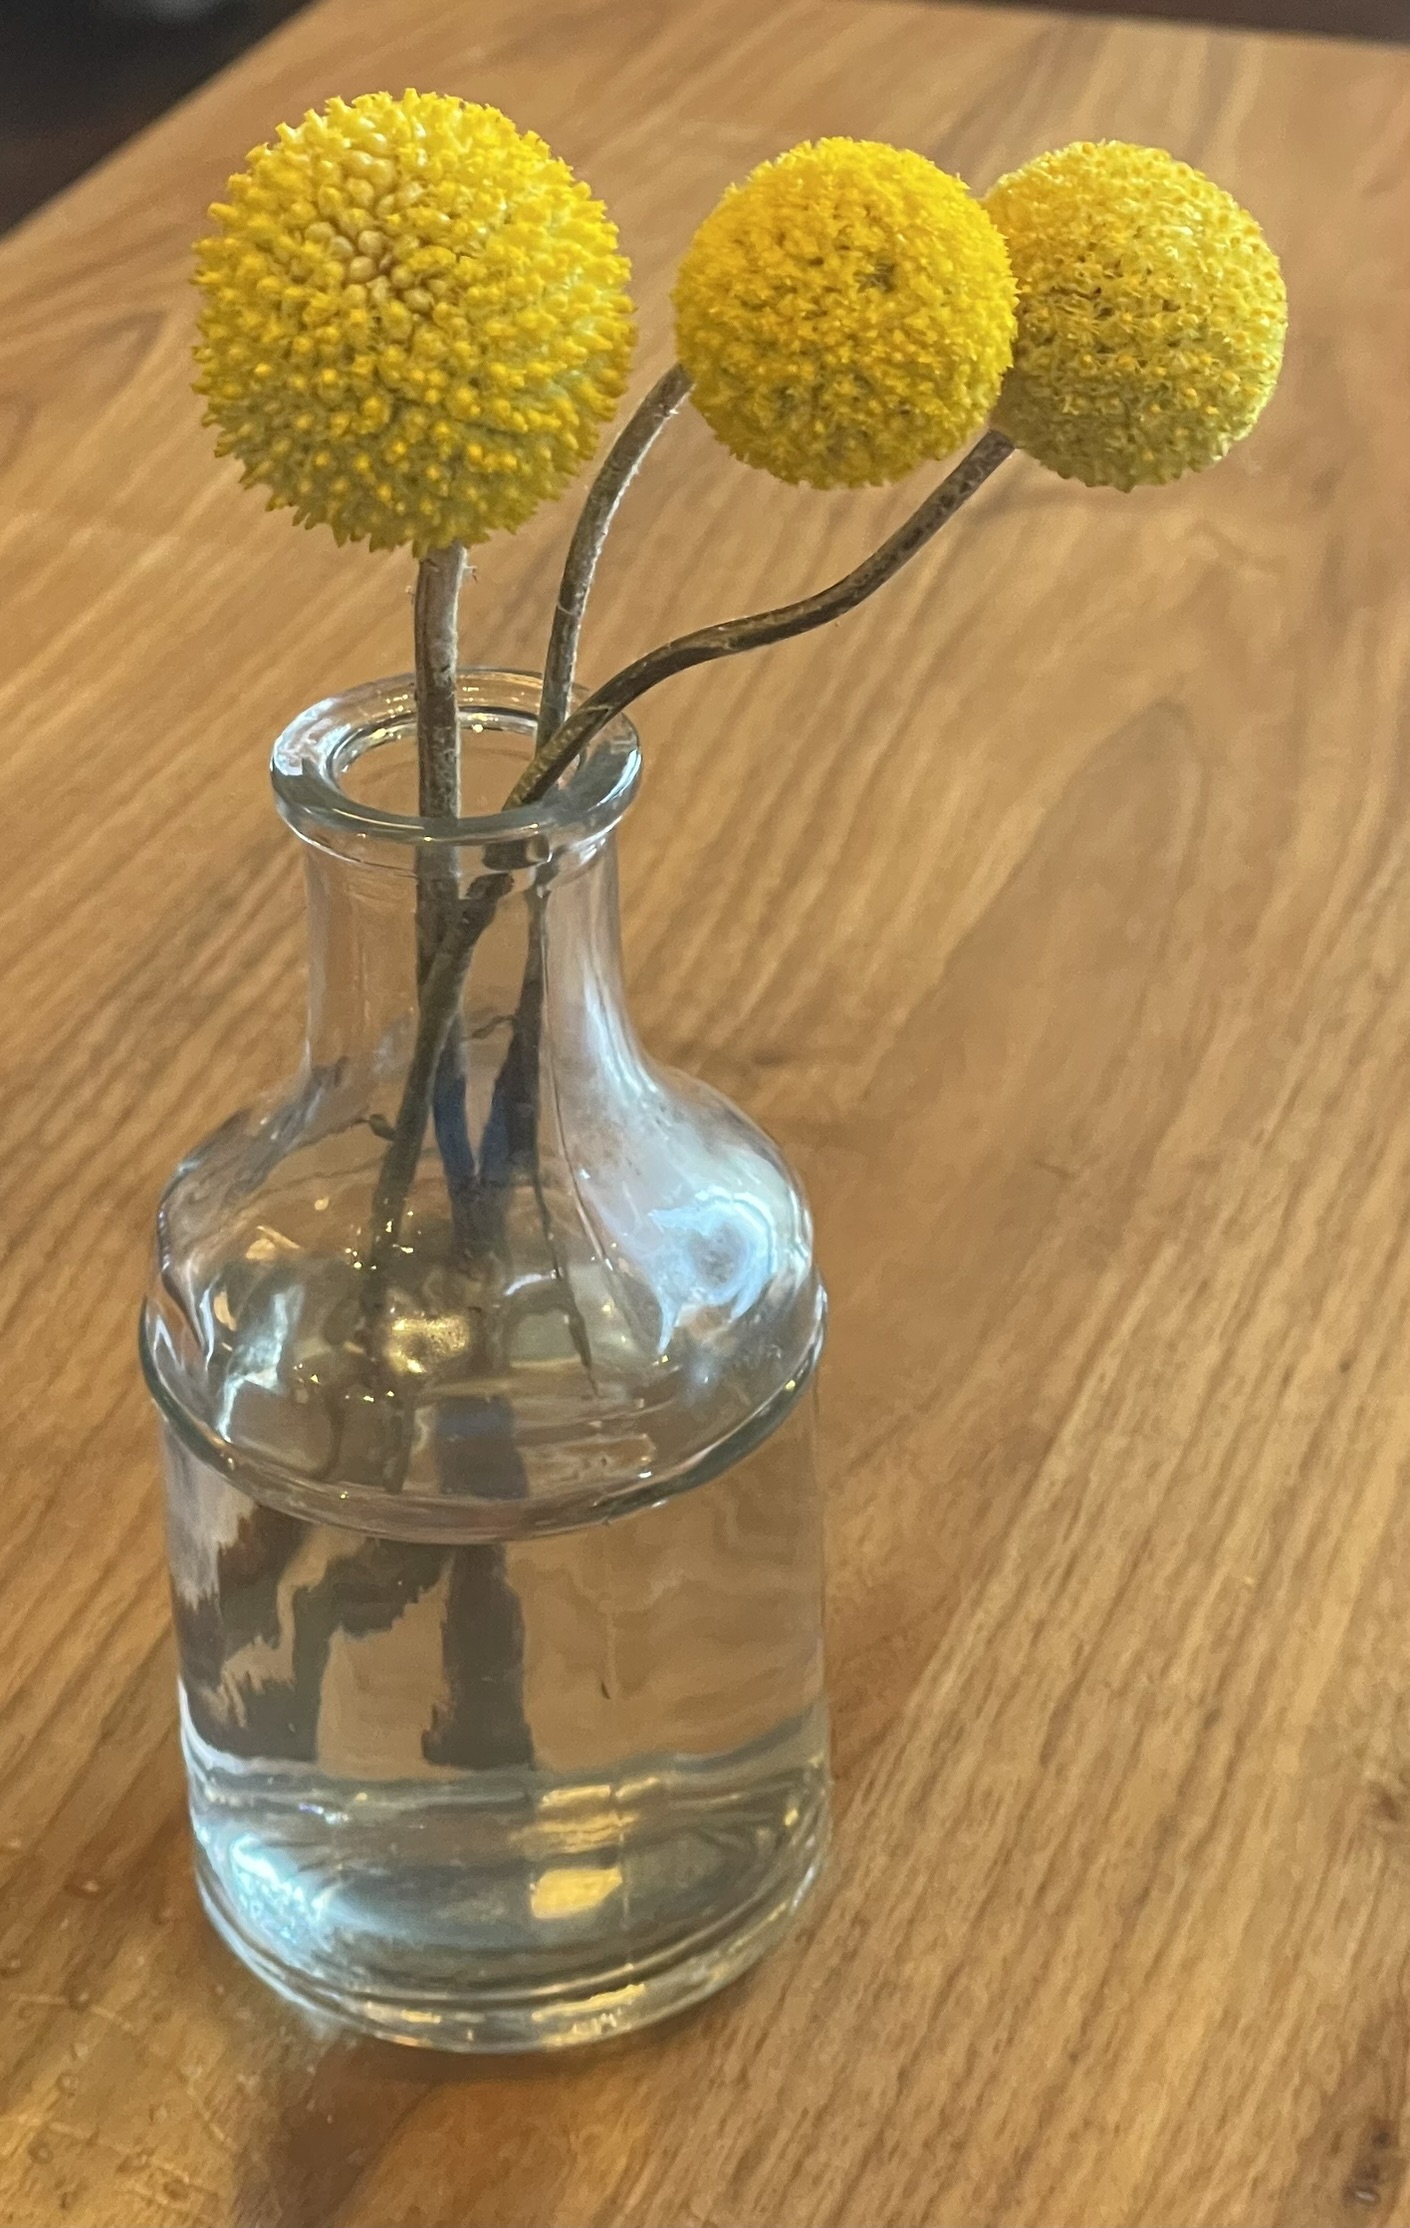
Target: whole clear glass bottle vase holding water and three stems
x,y
484,1369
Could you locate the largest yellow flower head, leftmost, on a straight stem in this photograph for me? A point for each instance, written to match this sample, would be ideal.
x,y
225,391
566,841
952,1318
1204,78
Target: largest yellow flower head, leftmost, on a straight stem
x,y
415,322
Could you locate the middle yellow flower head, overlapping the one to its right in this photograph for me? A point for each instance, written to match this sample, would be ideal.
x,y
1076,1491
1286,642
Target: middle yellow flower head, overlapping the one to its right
x,y
845,315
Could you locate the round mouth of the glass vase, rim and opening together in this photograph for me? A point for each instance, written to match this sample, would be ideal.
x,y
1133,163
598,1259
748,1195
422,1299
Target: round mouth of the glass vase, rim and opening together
x,y
346,774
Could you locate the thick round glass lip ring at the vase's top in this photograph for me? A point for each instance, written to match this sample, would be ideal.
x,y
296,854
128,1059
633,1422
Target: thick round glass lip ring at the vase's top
x,y
326,741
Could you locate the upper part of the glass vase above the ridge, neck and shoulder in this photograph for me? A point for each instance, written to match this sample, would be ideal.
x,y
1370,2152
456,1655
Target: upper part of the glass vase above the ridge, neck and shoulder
x,y
598,1282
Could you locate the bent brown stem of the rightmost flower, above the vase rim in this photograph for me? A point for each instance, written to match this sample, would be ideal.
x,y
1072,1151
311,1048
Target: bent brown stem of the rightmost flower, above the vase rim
x,y
763,627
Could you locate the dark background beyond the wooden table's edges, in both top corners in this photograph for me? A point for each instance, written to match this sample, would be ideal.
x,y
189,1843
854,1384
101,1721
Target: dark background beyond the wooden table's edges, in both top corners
x,y
79,77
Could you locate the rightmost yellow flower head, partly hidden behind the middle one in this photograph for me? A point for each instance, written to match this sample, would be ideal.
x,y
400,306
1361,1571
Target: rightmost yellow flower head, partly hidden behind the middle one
x,y
1150,315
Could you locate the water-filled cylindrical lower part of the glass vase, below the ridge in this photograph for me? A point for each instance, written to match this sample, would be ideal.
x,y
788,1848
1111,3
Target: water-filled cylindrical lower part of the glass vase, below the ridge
x,y
507,1792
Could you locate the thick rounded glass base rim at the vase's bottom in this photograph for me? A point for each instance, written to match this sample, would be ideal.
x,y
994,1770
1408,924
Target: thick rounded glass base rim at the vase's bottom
x,y
551,2013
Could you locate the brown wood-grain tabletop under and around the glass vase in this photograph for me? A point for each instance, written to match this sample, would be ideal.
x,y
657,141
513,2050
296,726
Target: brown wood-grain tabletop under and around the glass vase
x,y
1055,915
